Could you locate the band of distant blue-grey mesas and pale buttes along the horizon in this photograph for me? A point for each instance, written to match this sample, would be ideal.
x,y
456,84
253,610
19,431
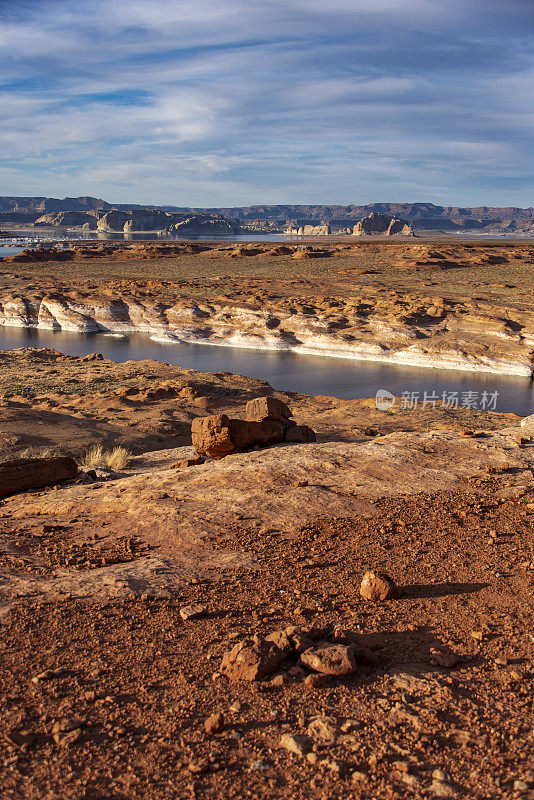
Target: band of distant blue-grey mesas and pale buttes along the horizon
x,y
80,213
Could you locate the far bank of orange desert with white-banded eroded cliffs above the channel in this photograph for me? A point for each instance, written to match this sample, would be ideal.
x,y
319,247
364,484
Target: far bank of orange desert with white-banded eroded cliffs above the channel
x,y
337,311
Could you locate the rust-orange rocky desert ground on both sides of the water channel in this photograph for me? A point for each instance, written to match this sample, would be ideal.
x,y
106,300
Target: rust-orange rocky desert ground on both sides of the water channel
x,y
185,627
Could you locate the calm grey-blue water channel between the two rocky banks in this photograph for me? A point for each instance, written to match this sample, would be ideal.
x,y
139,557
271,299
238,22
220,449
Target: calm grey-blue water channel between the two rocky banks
x,y
294,372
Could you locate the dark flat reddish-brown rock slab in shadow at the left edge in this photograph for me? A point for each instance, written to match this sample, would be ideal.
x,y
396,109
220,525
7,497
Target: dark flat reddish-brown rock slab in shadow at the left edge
x,y
33,473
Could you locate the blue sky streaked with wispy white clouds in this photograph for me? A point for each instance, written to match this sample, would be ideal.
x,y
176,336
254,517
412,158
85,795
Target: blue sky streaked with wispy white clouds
x,y
239,102
